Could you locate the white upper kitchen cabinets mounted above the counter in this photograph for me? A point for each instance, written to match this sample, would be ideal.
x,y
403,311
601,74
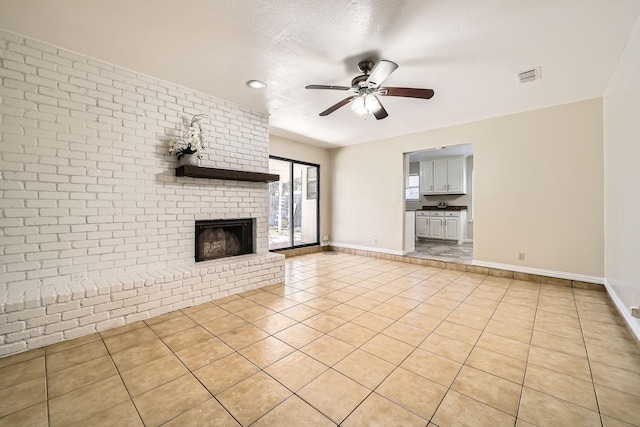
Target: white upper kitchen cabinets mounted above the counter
x,y
443,176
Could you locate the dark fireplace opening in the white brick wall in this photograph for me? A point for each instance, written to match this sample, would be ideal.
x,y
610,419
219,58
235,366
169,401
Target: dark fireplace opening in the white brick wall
x,y
223,238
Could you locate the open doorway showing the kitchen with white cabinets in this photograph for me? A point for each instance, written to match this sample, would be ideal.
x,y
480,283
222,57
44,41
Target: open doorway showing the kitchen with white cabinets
x,y
439,204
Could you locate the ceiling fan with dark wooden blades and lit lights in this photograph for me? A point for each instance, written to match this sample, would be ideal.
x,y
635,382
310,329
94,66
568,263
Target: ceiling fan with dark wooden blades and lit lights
x,y
366,87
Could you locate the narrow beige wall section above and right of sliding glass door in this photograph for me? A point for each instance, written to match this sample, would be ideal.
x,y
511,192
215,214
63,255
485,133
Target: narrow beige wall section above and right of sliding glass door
x,y
282,147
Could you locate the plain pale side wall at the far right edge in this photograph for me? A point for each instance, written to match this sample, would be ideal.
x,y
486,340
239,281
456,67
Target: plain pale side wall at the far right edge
x,y
622,177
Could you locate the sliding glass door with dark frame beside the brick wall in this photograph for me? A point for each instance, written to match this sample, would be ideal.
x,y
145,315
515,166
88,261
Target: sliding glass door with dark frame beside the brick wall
x,y
293,204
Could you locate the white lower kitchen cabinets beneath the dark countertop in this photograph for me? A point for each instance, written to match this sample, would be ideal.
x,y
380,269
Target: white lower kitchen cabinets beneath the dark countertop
x,y
442,225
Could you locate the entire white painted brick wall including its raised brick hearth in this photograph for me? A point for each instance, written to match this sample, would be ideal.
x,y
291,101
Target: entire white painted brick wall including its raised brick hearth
x,y
88,192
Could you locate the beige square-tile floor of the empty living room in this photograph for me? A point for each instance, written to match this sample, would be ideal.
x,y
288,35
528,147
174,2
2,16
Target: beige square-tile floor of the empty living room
x,y
347,340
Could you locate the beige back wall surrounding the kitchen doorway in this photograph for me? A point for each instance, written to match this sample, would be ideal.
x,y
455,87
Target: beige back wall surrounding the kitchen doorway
x,y
538,188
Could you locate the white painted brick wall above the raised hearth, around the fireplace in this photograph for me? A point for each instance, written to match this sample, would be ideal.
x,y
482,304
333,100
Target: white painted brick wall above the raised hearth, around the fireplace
x,y
87,183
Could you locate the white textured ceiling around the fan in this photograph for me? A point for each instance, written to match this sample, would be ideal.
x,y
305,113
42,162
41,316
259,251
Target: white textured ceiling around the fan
x,y
468,51
